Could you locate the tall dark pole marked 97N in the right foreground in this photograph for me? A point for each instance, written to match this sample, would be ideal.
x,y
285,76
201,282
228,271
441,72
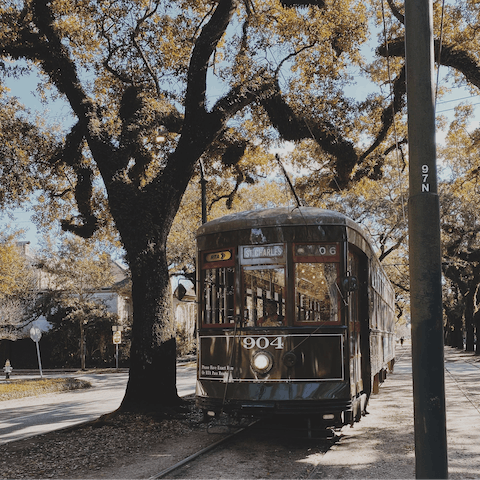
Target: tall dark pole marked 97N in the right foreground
x,y
425,249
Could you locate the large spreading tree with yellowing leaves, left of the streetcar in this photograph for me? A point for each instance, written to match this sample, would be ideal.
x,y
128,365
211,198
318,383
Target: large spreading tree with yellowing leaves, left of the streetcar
x,y
218,81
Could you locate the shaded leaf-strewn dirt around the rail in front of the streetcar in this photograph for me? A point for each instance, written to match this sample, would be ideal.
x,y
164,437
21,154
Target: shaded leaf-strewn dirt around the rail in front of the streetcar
x,y
139,447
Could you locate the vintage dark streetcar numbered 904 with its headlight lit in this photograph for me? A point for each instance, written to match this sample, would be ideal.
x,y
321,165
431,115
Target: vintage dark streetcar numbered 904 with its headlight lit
x,y
295,315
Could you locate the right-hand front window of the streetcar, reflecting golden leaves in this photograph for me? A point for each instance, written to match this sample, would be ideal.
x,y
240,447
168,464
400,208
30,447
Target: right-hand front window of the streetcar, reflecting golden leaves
x,y
316,292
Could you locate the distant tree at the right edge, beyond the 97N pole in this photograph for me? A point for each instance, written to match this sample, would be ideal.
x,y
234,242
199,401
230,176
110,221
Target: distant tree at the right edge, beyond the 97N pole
x,y
460,196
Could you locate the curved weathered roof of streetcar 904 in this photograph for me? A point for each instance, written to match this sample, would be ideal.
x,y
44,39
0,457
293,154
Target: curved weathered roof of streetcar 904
x,y
280,216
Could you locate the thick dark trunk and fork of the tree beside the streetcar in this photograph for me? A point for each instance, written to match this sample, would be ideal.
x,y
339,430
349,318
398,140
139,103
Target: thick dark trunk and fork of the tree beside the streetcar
x,y
144,221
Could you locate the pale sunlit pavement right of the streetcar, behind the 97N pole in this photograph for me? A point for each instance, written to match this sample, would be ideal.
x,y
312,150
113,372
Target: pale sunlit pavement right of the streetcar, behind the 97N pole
x,y
381,446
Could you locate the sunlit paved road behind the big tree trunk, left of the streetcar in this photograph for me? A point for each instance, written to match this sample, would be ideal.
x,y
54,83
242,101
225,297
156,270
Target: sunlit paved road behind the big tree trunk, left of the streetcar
x,y
30,416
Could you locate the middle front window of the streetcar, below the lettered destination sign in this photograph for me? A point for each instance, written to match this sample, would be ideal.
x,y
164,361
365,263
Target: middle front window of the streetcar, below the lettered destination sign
x,y
264,296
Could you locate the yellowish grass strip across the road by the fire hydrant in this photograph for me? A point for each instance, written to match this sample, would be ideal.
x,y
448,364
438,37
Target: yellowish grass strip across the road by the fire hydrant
x,y
28,388
